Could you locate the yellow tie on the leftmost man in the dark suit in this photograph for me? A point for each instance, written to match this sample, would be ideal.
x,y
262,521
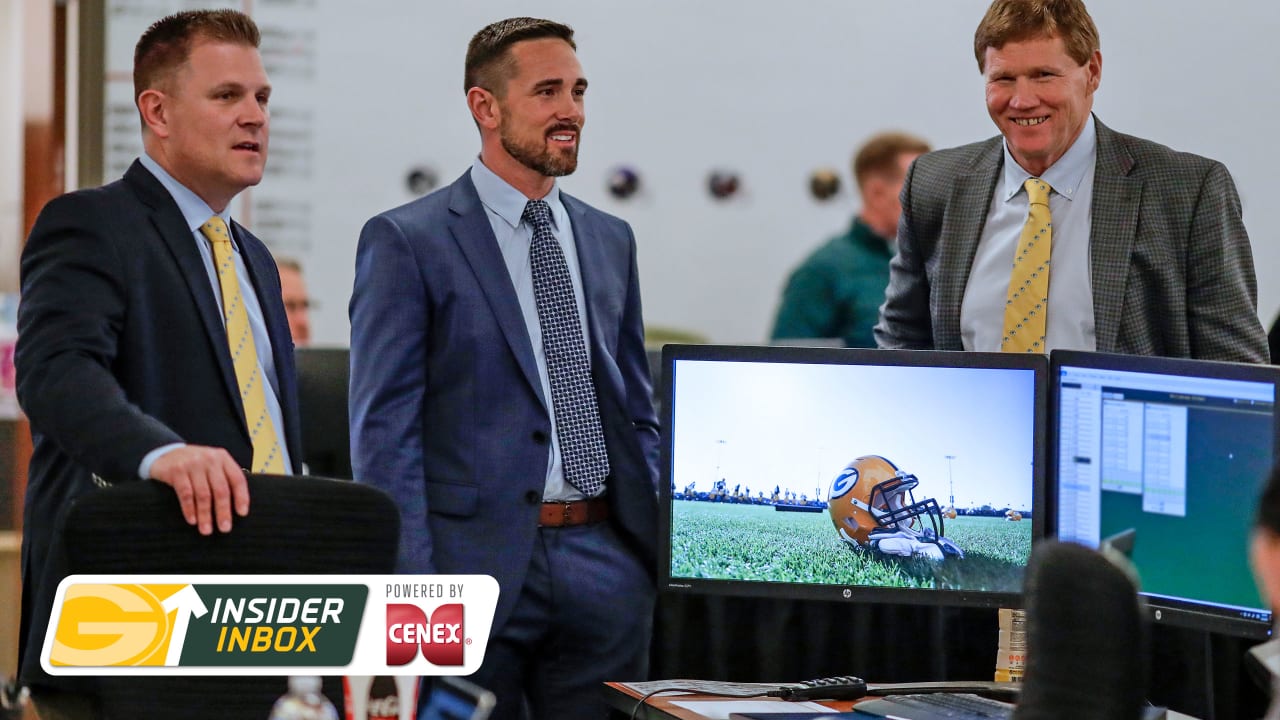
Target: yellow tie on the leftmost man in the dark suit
x,y
240,338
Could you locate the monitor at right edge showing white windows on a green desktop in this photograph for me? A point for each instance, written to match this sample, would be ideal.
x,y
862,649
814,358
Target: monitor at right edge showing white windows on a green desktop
x,y
1165,461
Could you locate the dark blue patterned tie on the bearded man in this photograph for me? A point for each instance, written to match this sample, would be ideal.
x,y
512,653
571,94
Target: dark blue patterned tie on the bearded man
x,y
578,414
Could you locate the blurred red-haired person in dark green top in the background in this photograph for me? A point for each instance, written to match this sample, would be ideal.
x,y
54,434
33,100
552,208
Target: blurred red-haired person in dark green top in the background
x,y
838,291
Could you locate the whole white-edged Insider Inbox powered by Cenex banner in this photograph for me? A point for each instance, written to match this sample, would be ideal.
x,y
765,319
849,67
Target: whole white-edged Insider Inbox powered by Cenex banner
x,y
277,626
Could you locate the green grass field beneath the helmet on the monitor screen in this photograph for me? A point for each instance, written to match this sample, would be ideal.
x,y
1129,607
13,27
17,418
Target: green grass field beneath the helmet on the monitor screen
x,y
757,543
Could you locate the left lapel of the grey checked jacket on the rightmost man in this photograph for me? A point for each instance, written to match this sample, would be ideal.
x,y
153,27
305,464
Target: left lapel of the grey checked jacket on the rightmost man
x,y
962,229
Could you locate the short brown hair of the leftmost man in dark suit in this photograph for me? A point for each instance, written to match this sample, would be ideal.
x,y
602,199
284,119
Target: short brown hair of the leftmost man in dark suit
x,y
167,44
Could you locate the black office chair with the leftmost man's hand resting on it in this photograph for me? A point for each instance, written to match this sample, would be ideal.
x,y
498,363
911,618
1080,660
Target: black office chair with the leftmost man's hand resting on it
x,y
296,525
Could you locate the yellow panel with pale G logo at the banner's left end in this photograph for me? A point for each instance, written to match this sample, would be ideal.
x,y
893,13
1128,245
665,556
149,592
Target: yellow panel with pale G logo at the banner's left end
x,y
118,625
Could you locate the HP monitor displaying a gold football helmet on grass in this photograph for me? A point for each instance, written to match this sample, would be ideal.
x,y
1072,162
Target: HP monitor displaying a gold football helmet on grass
x,y
820,473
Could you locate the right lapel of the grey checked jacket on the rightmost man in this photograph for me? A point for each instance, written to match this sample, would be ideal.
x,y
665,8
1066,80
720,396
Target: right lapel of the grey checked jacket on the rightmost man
x,y
1114,225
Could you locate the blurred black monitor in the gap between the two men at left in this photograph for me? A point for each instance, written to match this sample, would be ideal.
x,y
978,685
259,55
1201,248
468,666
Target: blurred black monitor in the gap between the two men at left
x,y
324,376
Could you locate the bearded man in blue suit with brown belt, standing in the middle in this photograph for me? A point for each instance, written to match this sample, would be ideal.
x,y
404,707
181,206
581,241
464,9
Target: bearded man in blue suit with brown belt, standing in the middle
x,y
500,389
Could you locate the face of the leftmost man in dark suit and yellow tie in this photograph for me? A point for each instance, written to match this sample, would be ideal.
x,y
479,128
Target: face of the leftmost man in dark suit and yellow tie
x,y
208,126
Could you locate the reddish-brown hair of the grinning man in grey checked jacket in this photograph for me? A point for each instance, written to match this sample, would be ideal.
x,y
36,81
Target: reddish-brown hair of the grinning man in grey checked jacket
x,y
1012,21
